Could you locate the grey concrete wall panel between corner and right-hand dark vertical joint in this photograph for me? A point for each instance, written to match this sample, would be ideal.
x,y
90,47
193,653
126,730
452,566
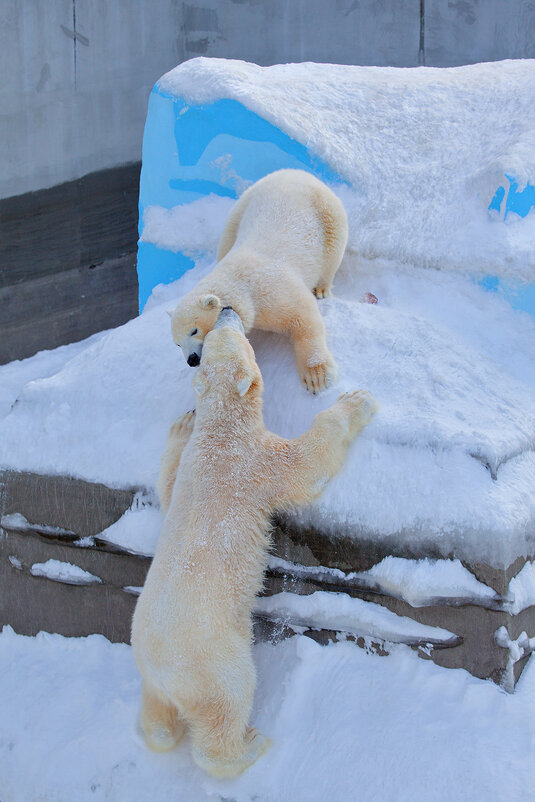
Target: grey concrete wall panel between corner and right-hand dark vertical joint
x,y
346,32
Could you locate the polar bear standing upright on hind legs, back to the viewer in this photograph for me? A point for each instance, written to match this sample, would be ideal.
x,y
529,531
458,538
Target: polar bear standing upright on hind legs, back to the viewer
x,y
222,476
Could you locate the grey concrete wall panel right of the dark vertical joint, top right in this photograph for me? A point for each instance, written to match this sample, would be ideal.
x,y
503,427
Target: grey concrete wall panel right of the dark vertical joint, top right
x,y
469,31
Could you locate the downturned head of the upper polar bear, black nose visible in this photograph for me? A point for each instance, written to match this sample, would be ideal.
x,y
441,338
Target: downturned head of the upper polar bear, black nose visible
x,y
191,321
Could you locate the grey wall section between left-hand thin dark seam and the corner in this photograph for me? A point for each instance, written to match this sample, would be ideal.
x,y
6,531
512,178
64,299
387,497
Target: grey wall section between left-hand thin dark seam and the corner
x,y
129,45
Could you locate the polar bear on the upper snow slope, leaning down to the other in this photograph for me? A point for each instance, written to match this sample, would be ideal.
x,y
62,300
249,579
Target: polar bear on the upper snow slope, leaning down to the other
x,y
282,244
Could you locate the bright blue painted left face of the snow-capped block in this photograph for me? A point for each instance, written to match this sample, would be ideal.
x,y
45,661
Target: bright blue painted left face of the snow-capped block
x,y
193,151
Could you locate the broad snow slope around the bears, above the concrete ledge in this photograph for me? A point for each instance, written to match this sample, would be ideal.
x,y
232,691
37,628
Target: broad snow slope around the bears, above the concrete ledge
x,y
453,369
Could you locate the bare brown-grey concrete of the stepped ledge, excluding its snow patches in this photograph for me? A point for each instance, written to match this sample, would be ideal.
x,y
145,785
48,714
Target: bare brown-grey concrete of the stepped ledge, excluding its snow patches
x,y
70,514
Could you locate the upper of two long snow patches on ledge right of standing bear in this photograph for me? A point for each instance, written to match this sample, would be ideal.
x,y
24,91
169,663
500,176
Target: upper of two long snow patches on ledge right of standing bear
x,y
418,582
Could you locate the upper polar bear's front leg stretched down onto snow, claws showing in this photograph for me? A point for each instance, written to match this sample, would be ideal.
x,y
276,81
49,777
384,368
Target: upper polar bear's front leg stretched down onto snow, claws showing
x,y
315,365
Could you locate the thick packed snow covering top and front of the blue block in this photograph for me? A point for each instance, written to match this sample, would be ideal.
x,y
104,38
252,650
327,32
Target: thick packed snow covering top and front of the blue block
x,y
422,150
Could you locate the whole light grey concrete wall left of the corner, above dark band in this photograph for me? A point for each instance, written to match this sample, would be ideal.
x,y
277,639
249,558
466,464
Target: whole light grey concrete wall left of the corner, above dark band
x,y
78,76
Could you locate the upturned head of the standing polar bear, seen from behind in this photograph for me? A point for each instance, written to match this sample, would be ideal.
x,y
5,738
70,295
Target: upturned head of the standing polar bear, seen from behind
x,y
228,365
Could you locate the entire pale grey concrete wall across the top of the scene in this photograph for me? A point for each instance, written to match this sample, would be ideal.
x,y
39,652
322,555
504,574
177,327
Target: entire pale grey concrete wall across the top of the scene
x,y
77,73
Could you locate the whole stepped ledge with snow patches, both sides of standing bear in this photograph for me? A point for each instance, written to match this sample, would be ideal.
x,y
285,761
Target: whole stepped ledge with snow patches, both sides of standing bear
x,y
50,575
